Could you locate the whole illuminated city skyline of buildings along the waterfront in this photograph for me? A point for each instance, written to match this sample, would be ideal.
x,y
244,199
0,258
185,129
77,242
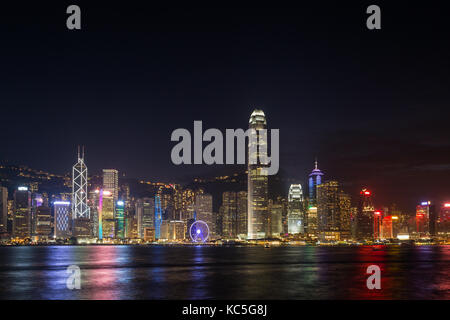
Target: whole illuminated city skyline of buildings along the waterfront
x,y
107,211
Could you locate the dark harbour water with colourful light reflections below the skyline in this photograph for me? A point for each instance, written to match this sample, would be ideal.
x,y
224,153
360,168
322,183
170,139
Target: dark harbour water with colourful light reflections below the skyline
x,y
202,272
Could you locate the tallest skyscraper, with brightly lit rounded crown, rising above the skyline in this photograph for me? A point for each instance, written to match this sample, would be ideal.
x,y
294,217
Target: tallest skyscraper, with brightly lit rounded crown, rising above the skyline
x,y
257,180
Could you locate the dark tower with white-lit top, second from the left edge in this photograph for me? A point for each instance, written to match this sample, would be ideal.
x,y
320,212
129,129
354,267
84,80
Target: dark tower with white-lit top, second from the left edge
x,y
22,214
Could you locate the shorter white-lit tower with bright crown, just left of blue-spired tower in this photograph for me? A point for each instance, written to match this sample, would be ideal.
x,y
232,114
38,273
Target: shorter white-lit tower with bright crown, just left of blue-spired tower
x,y
295,209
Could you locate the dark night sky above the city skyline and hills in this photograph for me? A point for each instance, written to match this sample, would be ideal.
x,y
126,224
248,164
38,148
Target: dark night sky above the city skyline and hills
x,y
372,105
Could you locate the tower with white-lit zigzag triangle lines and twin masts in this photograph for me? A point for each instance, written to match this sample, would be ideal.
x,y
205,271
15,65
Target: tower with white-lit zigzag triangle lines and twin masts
x,y
80,209
